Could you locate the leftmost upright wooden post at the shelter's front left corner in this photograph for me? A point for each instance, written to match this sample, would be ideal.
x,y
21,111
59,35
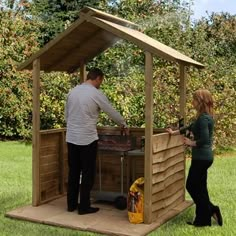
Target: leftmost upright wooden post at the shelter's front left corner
x,y
36,134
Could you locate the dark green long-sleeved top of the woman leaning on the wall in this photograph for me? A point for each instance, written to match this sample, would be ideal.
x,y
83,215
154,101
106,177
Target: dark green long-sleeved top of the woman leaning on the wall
x,y
202,130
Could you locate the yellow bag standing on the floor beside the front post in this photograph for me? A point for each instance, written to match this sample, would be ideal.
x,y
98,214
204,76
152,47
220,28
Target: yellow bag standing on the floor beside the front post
x,y
135,201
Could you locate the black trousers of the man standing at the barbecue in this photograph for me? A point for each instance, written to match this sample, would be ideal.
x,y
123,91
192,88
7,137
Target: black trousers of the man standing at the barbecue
x,y
81,160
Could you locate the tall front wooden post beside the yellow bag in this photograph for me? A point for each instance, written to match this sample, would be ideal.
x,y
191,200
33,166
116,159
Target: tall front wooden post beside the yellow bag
x,y
148,138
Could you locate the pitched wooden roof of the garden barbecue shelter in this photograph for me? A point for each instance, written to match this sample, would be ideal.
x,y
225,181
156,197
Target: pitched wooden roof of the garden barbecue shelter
x,y
90,35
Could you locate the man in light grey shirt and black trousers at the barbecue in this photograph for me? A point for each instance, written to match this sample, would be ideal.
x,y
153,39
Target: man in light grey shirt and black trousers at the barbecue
x,y
83,105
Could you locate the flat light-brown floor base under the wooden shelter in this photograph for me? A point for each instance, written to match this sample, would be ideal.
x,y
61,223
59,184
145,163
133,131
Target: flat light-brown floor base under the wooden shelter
x,y
108,220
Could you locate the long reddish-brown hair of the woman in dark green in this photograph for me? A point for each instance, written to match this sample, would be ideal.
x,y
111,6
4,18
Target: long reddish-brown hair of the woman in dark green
x,y
204,100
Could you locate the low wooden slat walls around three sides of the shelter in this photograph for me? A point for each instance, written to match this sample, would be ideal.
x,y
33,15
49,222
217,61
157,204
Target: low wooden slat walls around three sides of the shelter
x,y
168,179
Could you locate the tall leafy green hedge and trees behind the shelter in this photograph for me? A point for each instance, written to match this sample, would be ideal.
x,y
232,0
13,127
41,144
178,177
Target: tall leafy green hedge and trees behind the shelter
x,y
28,25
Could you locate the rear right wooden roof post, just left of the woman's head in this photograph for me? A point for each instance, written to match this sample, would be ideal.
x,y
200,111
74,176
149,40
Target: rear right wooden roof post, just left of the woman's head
x,y
182,87
